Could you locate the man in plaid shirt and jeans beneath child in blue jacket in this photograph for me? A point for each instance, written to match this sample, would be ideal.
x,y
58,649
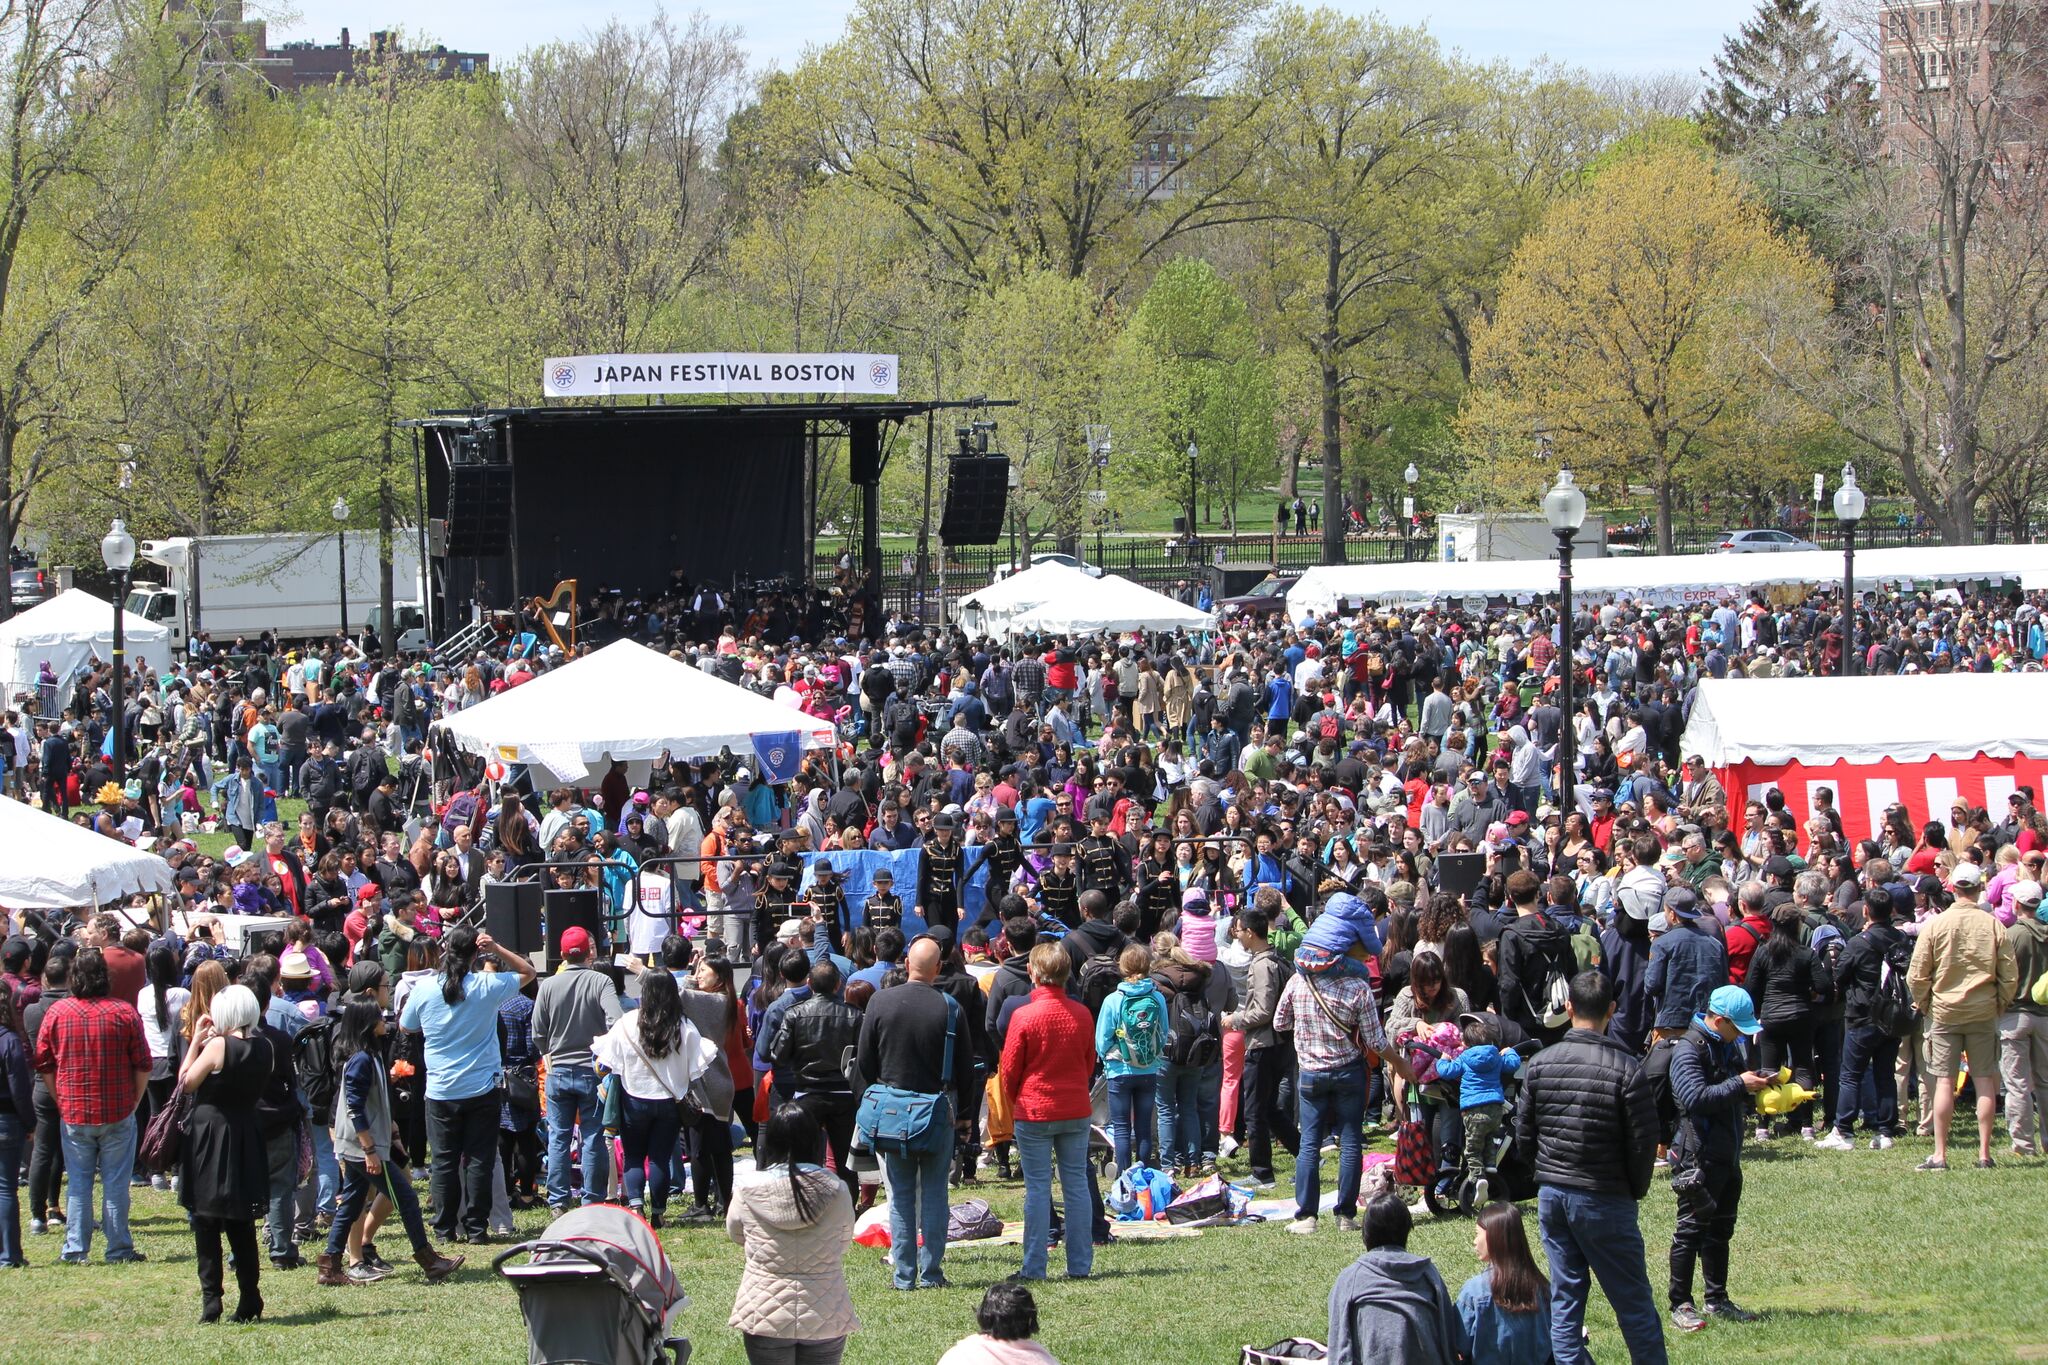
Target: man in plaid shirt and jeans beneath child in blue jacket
x,y
1334,1022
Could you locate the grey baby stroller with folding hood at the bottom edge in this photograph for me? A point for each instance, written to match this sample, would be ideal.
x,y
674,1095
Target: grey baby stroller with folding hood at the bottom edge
x,y
597,1290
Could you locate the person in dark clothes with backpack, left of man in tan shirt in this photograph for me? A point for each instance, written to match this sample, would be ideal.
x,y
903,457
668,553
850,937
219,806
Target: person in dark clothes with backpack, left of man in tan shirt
x,y
1877,1014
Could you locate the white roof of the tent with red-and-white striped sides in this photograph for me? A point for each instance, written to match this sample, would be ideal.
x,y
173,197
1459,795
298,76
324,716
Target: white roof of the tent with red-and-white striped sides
x,y
1908,719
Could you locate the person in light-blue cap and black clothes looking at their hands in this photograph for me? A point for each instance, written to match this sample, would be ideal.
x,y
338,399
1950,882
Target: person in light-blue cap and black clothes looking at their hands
x,y
1707,1157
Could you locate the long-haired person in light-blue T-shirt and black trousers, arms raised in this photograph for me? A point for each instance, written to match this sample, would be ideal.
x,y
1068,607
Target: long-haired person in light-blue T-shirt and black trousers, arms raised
x,y
460,1032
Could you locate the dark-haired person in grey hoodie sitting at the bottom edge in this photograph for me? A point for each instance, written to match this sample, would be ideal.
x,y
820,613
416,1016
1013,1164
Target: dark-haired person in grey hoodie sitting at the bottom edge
x,y
1392,1305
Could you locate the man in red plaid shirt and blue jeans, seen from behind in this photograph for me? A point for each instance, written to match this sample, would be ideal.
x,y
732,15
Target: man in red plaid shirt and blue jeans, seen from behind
x,y
99,1063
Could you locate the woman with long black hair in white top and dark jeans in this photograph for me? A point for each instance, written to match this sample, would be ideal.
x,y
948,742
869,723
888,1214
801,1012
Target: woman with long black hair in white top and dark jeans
x,y
656,1055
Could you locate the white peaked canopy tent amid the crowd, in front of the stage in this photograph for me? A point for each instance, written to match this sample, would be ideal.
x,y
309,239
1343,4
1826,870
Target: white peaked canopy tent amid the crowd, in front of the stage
x,y
632,705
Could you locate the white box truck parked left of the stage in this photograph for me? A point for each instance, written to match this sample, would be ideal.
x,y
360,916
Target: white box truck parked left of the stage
x,y
288,582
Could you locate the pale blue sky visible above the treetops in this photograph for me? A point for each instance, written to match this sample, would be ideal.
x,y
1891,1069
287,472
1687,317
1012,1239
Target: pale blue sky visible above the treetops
x,y
1605,36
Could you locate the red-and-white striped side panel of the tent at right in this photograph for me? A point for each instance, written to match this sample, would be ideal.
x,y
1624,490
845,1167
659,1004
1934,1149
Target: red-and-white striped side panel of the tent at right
x,y
1865,791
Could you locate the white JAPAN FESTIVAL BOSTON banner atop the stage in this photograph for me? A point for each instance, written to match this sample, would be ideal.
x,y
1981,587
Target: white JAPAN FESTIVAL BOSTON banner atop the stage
x,y
718,371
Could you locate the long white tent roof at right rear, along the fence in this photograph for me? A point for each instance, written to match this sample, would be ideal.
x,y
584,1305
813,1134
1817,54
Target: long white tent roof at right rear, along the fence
x,y
1662,580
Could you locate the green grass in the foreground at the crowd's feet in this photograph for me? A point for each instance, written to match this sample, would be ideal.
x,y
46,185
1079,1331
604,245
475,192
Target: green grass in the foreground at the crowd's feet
x,y
1850,1258
